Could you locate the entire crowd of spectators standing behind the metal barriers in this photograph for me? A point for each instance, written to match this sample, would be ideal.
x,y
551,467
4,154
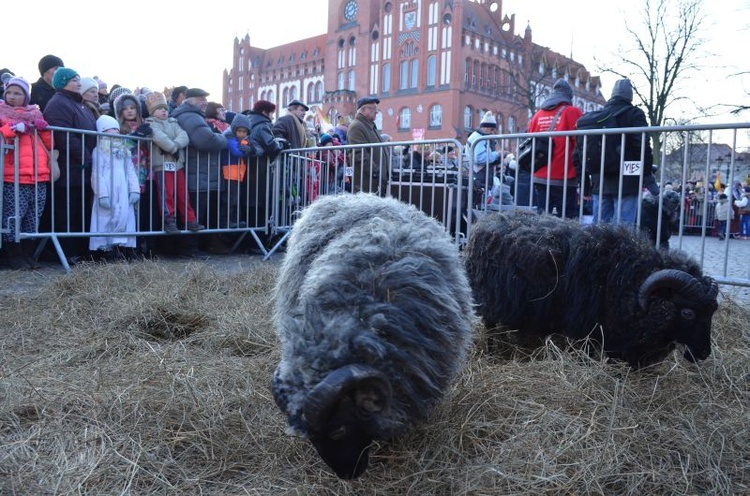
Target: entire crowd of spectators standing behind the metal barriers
x,y
122,152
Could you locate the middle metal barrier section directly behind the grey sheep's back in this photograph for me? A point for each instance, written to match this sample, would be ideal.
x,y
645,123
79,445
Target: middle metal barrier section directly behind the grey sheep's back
x,y
425,173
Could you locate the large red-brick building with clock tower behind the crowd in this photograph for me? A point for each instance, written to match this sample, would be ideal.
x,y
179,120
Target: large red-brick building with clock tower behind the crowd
x,y
436,65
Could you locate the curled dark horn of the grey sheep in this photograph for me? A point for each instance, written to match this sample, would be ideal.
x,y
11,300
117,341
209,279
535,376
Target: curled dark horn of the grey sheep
x,y
324,397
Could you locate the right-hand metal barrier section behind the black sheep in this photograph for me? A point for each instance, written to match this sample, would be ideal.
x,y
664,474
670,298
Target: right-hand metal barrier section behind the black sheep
x,y
684,209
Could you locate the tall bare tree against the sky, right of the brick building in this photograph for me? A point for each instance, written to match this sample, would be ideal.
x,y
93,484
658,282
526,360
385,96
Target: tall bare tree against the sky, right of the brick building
x,y
665,44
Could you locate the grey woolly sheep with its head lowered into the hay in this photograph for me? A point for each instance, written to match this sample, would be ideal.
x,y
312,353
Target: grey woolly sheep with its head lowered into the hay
x,y
374,315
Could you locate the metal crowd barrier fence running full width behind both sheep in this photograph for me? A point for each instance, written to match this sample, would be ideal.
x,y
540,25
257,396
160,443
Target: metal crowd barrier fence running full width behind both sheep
x,y
261,200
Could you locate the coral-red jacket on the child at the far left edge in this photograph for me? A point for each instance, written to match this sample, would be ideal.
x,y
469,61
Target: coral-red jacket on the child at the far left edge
x,y
26,144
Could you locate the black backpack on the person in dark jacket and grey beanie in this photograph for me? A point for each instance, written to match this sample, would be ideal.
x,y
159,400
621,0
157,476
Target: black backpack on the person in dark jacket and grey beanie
x,y
601,119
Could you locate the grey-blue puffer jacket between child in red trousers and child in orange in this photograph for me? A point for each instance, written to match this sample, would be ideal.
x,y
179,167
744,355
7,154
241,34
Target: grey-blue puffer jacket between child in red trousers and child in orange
x,y
204,152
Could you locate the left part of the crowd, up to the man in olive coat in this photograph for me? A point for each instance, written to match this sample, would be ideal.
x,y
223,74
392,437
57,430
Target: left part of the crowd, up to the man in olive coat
x,y
122,152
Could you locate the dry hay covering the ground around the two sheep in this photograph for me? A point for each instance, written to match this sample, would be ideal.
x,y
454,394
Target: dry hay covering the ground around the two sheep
x,y
153,378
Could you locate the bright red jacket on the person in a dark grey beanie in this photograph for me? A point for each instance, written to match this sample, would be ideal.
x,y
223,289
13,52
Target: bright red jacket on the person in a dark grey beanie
x,y
566,122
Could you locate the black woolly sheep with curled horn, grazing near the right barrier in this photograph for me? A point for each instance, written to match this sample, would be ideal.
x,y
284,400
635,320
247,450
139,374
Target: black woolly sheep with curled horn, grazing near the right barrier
x,y
541,275
